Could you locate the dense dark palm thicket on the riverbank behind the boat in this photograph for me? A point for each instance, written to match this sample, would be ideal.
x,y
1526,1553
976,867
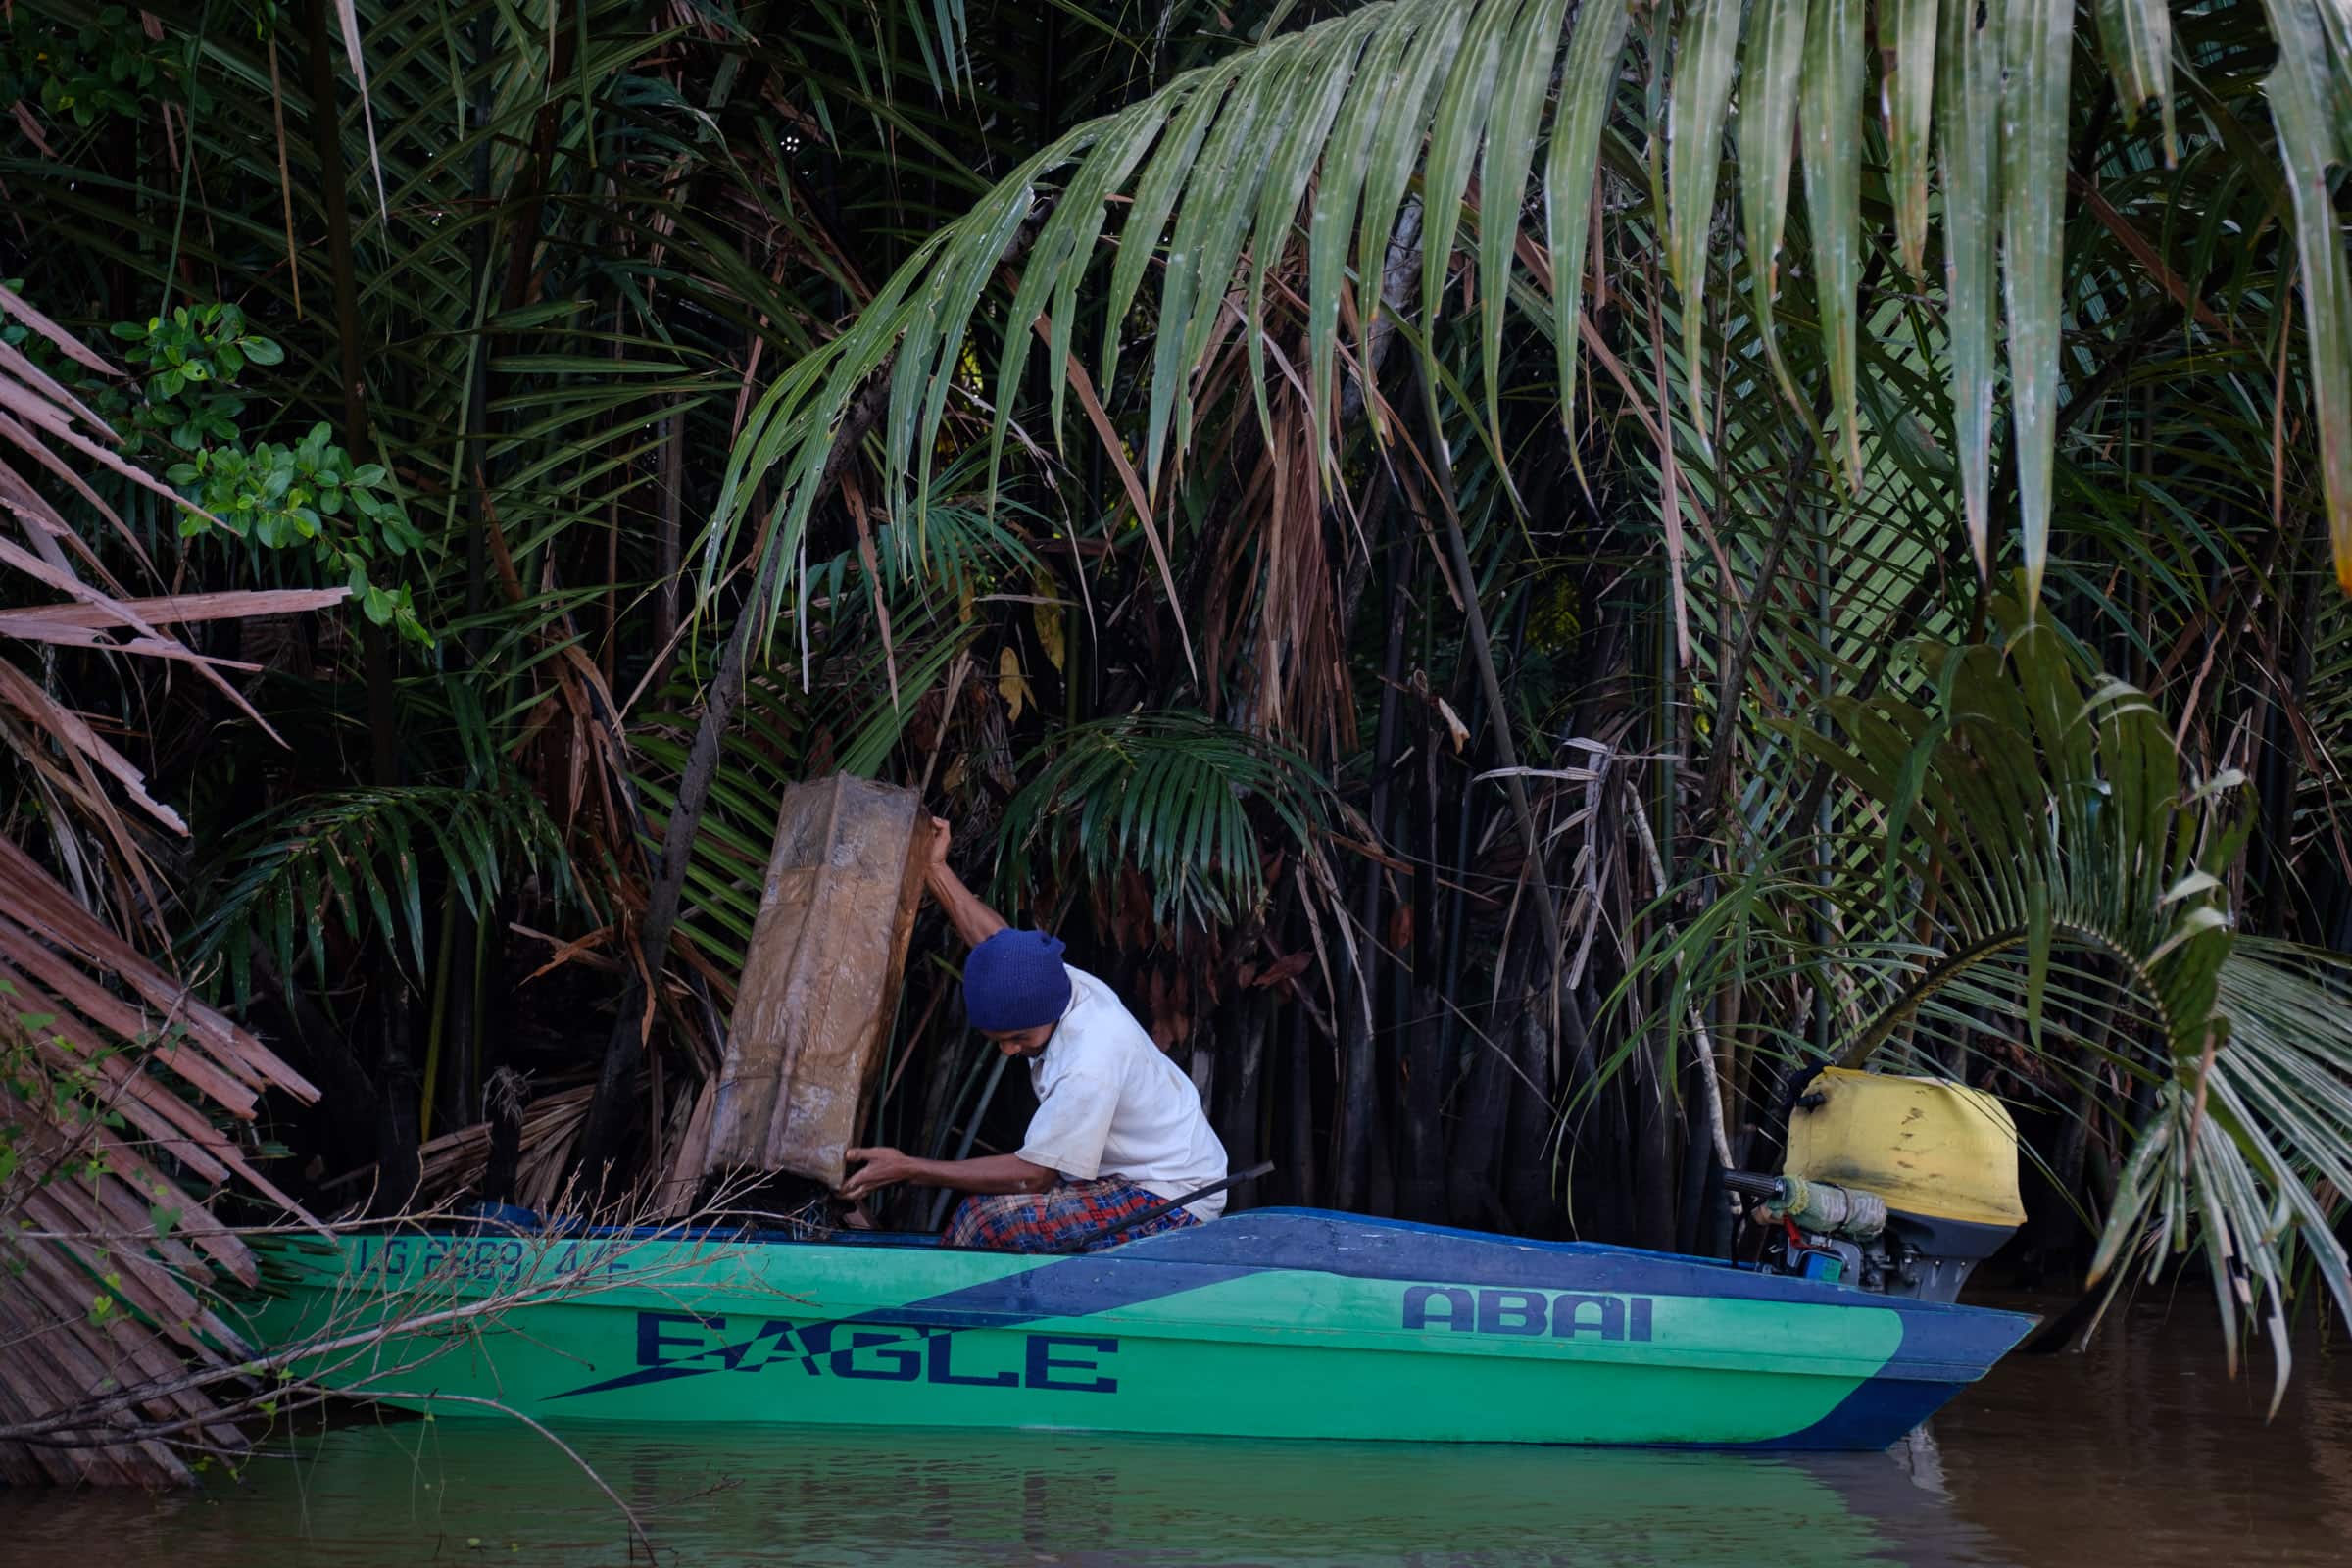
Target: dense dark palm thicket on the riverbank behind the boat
x,y
1509,572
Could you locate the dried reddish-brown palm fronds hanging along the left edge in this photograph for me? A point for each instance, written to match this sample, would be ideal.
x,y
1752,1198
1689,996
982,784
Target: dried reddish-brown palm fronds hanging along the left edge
x,y
114,1068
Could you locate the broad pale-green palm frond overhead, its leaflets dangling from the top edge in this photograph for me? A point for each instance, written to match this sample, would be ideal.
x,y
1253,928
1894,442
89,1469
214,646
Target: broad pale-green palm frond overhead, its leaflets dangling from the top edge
x,y
1445,91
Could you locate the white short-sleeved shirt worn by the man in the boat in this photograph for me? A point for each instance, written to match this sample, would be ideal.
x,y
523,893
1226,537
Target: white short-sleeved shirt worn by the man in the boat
x,y
1111,1104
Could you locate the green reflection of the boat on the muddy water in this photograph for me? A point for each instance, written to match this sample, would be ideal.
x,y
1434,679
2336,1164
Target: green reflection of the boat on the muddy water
x,y
998,1499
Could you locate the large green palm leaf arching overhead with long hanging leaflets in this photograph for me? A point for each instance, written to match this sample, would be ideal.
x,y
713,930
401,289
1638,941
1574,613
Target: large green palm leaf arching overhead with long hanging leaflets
x,y
1356,107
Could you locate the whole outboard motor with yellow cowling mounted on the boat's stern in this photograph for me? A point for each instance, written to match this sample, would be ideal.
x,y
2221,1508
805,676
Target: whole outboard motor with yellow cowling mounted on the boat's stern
x,y
1892,1184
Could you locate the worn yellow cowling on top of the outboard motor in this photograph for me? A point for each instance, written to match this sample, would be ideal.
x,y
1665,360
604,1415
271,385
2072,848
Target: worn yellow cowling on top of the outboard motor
x,y
1937,1153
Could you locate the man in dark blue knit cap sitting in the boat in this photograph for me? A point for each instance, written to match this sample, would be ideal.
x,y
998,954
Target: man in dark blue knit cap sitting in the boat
x,y
1118,1125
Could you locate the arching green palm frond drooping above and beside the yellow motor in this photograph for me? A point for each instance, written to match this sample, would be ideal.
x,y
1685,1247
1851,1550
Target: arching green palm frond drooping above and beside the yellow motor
x,y
2057,880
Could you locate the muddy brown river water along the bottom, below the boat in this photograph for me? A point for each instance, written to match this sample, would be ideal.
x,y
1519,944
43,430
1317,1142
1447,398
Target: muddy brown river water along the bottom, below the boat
x,y
2141,1452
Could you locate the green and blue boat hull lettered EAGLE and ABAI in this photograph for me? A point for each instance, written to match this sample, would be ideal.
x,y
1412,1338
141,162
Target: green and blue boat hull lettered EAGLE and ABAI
x,y
1285,1325
